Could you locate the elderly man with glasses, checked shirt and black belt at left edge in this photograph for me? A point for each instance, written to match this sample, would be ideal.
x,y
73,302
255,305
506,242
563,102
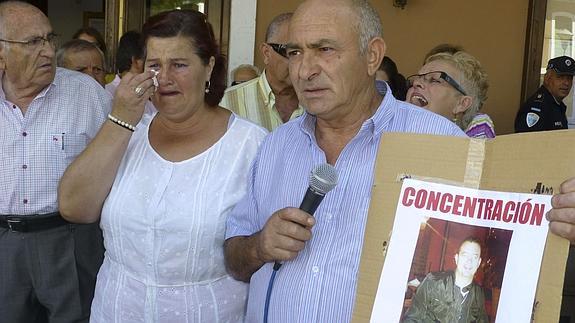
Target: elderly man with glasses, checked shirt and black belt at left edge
x,y
48,266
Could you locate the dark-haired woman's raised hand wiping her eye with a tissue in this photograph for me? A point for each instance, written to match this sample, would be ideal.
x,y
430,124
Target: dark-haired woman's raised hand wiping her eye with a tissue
x,y
131,96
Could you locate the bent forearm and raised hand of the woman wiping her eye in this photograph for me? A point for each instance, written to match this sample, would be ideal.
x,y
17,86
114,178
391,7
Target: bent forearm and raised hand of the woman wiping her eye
x,y
88,180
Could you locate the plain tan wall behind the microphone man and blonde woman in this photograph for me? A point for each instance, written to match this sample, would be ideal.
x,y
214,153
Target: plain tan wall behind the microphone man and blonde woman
x,y
491,30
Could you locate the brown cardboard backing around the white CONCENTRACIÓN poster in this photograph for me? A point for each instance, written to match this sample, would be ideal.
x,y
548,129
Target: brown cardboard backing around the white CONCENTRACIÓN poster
x,y
524,163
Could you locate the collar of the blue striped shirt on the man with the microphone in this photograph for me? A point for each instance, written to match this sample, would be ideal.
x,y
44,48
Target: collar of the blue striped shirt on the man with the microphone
x,y
375,125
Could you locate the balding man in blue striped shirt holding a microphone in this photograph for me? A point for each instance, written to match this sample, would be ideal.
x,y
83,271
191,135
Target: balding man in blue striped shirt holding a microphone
x,y
334,49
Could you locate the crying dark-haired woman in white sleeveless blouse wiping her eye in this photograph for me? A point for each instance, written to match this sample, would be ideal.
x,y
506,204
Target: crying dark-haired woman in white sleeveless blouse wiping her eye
x,y
165,183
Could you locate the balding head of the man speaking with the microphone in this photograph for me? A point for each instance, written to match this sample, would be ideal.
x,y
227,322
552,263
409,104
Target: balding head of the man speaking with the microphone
x,y
332,69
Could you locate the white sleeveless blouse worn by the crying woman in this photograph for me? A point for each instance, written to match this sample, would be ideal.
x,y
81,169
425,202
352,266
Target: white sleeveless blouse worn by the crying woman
x,y
164,224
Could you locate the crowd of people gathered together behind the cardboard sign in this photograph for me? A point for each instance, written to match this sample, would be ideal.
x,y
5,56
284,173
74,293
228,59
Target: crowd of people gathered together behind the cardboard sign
x,y
190,187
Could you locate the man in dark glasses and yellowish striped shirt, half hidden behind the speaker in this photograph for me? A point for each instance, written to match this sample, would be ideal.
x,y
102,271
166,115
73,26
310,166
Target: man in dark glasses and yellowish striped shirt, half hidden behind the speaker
x,y
270,99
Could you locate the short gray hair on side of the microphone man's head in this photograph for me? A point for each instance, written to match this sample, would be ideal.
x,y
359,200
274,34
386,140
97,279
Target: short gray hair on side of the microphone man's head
x,y
368,24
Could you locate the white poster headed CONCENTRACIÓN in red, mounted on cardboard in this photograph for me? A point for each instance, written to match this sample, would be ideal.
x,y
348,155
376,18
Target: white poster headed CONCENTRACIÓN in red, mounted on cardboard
x,y
462,255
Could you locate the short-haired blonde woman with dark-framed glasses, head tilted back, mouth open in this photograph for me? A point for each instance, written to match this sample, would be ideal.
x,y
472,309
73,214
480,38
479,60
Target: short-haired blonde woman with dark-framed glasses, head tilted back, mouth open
x,y
453,85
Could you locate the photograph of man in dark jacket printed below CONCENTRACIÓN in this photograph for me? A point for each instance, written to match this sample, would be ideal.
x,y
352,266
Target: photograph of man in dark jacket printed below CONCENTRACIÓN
x,y
456,273
